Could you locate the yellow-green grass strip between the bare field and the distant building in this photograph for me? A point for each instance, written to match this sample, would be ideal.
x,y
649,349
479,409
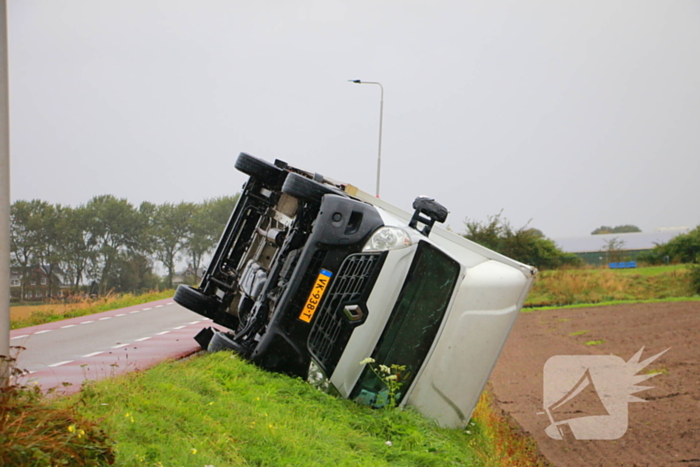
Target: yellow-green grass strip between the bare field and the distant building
x,y
602,286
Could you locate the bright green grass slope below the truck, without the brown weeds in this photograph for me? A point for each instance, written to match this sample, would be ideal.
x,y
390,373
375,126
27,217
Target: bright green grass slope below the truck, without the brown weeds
x,y
218,410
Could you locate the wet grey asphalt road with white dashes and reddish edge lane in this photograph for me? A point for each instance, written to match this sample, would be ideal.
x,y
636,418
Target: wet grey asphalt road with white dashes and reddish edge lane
x,y
65,353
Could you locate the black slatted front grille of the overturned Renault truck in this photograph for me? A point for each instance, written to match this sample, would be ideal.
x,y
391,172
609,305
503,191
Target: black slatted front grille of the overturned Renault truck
x,y
331,330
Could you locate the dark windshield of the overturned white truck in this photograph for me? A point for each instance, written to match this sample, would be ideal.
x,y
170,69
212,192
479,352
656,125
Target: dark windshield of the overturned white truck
x,y
413,324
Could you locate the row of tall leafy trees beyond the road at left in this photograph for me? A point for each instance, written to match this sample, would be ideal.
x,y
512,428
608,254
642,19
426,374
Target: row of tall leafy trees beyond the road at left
x,y
113,244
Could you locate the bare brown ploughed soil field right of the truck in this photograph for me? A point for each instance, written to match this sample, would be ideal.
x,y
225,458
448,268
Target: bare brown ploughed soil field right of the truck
x,y
663,431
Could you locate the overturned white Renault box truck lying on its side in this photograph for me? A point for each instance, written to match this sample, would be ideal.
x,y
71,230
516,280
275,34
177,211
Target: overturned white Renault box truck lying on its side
x,y
312,270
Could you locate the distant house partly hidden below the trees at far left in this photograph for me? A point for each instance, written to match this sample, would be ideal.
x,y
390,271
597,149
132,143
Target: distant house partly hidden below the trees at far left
x,y
40,283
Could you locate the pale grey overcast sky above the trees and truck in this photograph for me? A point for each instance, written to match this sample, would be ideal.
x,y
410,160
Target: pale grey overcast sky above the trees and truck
x,y
574,114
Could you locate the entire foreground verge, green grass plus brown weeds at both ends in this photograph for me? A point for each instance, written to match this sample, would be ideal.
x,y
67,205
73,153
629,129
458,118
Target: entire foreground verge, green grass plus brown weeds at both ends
x,y
217,410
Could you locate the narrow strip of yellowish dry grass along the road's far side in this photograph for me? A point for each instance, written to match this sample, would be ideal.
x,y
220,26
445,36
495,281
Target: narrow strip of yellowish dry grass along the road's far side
x,y
31,315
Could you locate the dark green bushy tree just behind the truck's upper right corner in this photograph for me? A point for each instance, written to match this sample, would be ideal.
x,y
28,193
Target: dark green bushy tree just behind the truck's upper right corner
x,y
527,245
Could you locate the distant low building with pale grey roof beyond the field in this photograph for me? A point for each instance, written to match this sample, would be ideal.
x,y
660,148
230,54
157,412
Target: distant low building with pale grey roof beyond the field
x,y
593,249
